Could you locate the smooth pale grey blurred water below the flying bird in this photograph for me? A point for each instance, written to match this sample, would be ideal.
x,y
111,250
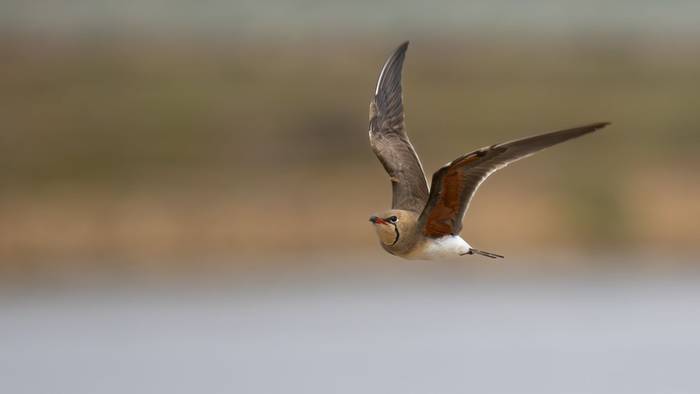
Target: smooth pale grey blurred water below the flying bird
x,y
358,333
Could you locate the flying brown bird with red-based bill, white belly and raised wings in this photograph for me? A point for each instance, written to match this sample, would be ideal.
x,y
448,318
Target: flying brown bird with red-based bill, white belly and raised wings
x,y
424,223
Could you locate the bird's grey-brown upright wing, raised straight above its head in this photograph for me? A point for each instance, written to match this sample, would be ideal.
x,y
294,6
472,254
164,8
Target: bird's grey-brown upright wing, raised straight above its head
x,y
389,140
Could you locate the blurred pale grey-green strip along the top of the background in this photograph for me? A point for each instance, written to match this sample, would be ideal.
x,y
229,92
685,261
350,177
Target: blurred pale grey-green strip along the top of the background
x,y
285,19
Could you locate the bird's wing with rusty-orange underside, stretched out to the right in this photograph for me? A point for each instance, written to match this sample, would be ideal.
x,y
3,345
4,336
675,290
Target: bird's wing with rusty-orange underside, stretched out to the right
x,y
455,183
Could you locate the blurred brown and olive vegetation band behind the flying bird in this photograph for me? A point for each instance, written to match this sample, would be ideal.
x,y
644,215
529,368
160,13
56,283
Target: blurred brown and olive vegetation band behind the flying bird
x,y
143,150
